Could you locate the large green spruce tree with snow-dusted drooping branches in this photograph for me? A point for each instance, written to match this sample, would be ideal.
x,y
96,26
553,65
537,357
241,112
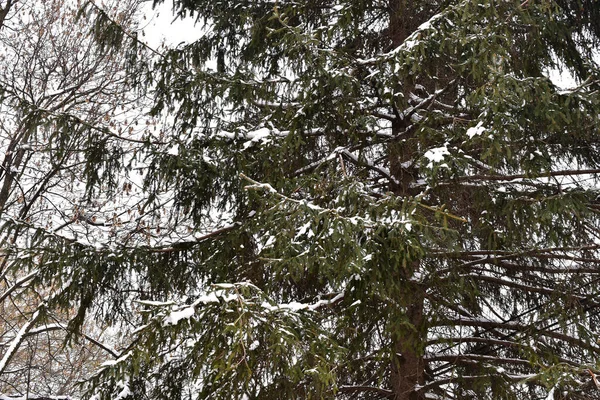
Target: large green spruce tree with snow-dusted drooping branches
x,y
356,200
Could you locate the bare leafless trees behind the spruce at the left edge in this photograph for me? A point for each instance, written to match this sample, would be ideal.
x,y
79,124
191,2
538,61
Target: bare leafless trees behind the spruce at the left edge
x,y
64,101
